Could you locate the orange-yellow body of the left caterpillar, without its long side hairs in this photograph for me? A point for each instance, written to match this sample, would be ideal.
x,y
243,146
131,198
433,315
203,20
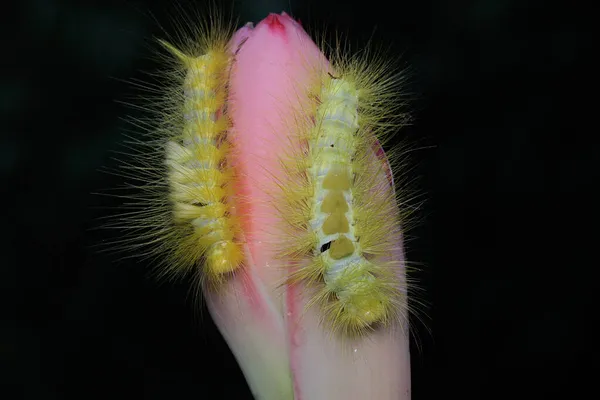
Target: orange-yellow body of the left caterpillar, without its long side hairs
x,y
198,171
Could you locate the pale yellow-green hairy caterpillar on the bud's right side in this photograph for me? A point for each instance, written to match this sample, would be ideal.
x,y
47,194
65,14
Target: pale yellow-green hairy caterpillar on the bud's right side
x,y
338,212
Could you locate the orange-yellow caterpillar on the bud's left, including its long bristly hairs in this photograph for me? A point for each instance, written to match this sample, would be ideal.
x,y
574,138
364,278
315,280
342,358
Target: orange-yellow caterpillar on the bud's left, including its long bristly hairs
x,y
184,212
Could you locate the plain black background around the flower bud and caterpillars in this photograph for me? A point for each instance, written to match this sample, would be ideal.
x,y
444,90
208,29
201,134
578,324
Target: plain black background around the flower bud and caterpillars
x,y
503,90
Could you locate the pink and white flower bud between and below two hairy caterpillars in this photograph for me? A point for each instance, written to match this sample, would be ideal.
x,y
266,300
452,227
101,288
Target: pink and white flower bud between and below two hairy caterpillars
x,y
284,352
